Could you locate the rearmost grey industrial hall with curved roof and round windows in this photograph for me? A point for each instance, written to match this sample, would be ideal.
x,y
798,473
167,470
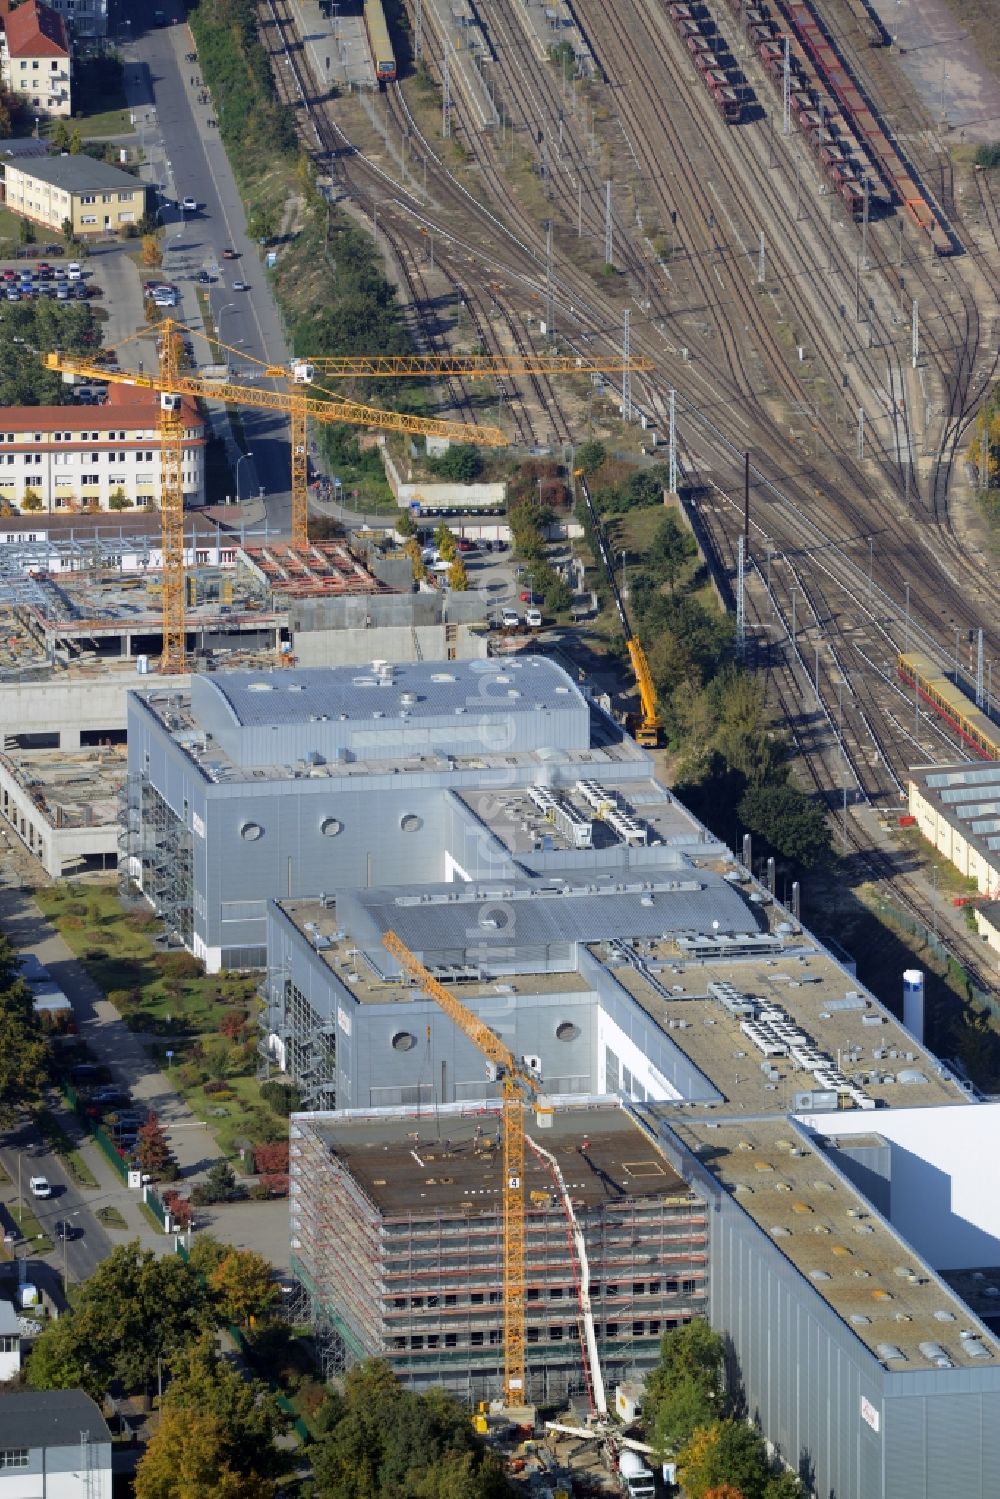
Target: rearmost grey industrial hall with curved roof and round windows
x,y
293,783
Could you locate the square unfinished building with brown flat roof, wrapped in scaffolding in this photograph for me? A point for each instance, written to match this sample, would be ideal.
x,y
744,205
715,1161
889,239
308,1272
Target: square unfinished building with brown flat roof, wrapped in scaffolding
x,y
398,1237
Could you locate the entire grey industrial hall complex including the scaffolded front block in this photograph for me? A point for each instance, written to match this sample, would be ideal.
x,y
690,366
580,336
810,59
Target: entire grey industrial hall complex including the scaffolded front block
x,y
744,1131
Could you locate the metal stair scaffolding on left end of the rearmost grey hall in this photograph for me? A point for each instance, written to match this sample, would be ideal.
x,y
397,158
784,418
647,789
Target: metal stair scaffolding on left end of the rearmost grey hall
x,y
157,857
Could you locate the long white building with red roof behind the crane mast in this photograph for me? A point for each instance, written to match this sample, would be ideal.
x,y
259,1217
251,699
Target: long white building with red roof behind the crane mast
x,y
80,456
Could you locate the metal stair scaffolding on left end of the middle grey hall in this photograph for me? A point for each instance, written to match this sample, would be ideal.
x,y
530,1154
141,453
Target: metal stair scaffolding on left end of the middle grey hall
x,y
296,1043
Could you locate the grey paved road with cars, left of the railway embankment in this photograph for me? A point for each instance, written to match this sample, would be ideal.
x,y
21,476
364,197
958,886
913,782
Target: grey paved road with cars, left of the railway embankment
x,y
187,160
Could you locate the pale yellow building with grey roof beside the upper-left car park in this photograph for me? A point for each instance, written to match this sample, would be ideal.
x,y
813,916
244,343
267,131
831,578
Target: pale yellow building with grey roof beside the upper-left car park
x,y
92,196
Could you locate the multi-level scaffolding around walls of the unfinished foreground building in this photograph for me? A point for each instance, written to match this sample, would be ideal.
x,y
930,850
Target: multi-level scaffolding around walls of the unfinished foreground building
x,y
422,1287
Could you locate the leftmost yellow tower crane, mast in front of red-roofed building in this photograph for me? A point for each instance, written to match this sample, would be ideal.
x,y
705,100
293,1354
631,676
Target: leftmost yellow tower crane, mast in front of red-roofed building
x,y
173,383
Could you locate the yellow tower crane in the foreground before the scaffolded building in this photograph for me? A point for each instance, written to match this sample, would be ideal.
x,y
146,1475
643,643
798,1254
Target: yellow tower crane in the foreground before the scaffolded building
x,y
518,1088
